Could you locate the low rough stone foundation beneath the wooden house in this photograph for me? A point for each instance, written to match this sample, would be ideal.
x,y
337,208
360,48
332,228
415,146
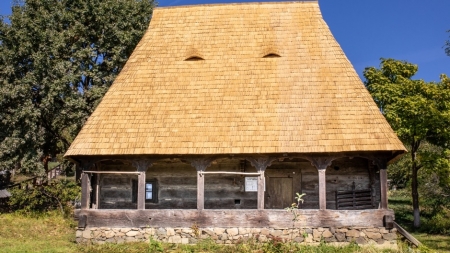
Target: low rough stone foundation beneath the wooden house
x,y
375,236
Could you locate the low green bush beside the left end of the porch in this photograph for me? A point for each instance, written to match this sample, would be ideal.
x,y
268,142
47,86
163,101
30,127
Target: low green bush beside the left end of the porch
x,y
57,195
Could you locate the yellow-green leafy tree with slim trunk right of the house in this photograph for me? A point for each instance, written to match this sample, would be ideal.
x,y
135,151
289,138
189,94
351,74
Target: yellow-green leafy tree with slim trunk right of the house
x,y
418,112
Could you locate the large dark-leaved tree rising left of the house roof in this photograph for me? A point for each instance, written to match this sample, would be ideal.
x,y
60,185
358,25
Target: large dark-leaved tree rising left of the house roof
x,y
57,60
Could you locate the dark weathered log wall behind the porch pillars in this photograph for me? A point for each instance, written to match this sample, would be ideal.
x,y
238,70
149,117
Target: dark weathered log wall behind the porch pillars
x,y
177,184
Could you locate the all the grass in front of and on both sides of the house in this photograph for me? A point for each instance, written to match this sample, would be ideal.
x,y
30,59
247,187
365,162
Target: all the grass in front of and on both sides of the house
x,y
50,232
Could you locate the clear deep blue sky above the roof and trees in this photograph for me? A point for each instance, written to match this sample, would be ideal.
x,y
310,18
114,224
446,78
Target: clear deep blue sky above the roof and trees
x,y
411,30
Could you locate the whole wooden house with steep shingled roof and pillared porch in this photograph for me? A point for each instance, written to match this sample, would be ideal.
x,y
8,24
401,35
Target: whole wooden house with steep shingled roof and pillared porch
x,y
220,116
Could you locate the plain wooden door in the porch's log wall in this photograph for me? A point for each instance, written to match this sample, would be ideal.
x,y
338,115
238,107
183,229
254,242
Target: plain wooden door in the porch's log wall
x,y
279,193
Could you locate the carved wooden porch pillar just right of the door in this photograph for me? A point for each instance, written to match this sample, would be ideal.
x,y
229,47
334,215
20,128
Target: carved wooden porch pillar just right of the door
x,y
321,164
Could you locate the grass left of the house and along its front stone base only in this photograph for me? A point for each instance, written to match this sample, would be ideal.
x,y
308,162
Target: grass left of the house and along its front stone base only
x,y
50,232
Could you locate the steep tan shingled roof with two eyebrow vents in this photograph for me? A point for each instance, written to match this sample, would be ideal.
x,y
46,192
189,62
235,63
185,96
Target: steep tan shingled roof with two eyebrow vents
x,y
198,83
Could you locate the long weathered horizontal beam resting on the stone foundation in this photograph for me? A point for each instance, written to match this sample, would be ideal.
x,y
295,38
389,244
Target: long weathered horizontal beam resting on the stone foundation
x,y
233,218
